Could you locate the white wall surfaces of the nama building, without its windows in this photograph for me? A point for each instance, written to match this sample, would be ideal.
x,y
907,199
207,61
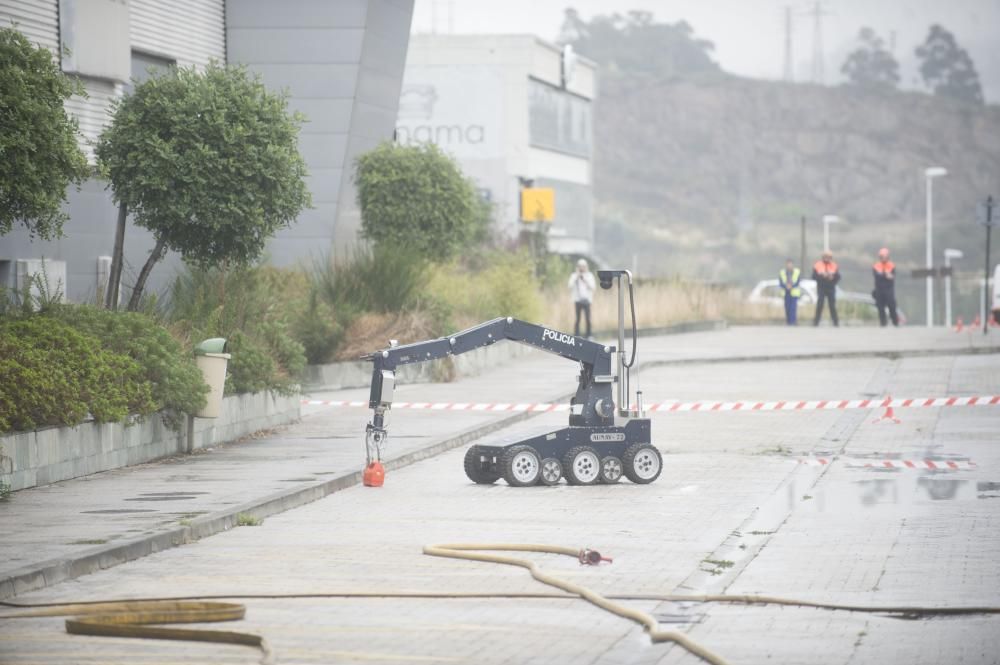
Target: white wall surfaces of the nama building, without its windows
x,y
473,81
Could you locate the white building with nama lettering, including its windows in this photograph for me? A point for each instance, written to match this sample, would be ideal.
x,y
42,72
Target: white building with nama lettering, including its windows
x,y
512,109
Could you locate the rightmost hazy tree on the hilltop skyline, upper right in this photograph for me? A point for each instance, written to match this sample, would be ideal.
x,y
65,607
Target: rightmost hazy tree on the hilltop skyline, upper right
x,y
947,68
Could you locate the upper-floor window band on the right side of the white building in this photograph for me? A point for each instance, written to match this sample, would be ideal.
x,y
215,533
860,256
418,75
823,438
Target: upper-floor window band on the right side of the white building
x,y
559,120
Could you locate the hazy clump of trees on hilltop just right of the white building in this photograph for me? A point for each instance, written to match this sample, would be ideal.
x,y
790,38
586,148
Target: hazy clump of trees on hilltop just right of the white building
x,y
635,43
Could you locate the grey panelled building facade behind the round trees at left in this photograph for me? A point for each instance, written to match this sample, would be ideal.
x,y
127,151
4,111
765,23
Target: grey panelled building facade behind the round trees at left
x,y
340,62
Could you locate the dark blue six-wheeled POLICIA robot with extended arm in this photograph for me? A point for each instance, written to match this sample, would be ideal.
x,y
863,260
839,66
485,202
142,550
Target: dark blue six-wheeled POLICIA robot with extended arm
x,y
605,439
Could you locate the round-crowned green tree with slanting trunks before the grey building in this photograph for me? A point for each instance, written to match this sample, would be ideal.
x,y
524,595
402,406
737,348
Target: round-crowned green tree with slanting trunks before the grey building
x,y
206,160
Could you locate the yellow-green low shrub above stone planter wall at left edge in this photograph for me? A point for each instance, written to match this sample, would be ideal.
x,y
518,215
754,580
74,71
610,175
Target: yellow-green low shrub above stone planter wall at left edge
x,y
56,375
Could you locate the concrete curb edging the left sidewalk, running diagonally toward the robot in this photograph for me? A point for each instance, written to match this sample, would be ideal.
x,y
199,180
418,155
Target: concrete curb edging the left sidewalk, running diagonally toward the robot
x,y
53,571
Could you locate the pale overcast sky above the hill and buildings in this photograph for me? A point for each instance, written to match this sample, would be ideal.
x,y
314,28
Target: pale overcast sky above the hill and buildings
x,y
749,34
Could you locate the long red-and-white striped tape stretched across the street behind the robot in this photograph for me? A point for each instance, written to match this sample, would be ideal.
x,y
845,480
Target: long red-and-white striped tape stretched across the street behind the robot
x,y
816,405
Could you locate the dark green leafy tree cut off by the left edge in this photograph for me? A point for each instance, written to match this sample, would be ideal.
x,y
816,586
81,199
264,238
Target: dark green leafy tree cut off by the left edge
x,y
39,153
